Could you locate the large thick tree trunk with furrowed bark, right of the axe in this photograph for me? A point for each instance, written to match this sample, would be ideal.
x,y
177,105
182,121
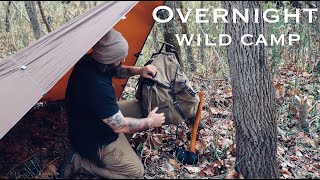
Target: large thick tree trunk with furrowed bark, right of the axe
x,y
254,105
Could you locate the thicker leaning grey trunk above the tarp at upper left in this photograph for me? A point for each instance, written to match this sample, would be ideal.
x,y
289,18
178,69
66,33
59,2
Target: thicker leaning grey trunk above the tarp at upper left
x,y
32,13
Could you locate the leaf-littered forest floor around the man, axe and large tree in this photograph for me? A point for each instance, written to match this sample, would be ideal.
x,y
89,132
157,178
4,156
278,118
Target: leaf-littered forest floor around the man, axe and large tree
x,y
35,146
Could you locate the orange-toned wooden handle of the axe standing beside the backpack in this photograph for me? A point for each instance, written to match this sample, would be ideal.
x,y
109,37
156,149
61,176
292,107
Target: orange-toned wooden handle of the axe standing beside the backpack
x,y
194,131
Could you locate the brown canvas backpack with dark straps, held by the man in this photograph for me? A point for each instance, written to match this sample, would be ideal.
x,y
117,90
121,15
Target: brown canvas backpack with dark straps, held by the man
x,y
170,89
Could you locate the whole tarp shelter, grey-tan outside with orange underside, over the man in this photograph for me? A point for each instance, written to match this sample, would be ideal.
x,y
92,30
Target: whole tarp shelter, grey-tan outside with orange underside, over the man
x,y
40,71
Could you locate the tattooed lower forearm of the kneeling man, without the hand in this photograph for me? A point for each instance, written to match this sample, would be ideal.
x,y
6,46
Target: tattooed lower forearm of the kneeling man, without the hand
x,y
127,125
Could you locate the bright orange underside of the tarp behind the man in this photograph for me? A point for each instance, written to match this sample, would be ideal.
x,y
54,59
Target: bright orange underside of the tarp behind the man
x,y
135,28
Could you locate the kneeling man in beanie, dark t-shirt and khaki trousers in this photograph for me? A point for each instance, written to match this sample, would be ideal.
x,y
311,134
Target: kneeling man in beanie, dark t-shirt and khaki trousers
x,y
96,123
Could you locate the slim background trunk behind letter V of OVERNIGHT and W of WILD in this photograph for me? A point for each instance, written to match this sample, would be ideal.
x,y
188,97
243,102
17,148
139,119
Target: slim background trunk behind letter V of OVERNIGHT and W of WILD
x,y
185,30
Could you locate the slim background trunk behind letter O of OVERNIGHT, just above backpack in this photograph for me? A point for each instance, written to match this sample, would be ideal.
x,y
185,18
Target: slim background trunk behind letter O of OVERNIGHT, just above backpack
x,y
170,31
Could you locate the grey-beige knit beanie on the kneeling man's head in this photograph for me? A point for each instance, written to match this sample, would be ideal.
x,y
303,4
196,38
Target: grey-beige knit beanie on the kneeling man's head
x,y
111,48
